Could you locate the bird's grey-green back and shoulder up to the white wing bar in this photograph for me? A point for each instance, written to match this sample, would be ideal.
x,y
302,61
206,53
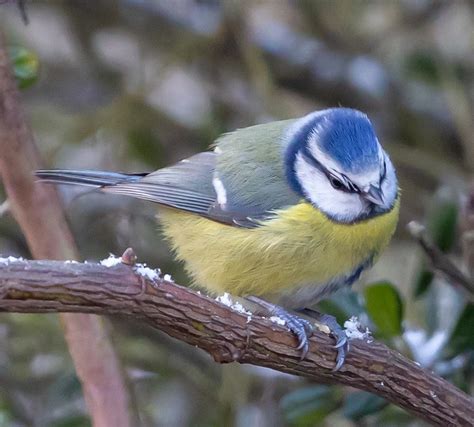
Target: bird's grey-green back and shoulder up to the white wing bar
x,y
250,172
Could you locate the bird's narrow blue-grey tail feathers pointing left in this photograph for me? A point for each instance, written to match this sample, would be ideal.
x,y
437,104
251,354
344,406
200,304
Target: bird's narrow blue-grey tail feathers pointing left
x,y
87,178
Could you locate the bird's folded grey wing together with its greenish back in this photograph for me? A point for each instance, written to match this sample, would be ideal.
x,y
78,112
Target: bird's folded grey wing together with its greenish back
x,y
241,183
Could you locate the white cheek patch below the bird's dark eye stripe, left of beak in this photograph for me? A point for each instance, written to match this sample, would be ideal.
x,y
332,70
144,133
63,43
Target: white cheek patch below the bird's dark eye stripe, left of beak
x,y
336,204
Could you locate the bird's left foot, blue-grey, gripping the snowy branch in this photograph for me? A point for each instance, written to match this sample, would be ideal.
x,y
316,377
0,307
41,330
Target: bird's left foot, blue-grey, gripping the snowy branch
x,y
300,327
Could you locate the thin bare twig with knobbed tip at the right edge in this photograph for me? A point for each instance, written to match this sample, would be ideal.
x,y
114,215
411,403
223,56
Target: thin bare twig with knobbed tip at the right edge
x,y
440,262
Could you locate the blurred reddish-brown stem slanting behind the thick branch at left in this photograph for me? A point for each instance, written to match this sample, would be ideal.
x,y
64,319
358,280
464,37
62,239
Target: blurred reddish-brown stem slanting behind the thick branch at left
x,y
39,214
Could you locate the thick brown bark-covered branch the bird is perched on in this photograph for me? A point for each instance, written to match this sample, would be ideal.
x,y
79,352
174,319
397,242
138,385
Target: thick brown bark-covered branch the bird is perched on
x,y
51,286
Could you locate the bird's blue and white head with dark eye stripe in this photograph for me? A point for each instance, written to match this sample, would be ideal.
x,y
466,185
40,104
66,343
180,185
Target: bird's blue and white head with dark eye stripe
x,y
334,160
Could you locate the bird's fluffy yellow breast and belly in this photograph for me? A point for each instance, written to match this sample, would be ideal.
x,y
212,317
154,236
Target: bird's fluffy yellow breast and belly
x,y
300,246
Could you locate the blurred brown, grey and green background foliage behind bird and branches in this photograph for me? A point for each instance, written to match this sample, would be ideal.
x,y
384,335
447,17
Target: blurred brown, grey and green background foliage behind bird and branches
x,y
134,85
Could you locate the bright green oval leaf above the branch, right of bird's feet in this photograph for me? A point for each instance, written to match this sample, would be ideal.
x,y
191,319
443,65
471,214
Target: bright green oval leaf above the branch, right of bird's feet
x,y
385,307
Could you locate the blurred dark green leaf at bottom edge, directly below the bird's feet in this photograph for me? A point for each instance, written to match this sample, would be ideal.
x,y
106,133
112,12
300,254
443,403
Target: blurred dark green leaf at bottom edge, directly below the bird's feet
x,y
309,406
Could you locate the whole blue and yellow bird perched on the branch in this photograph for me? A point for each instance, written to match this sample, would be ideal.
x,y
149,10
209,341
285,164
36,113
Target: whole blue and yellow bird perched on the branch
x,y
282,213
